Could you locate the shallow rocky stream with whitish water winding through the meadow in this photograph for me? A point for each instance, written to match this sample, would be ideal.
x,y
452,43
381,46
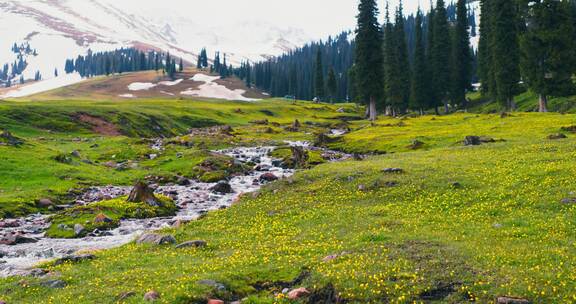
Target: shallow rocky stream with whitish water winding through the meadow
x,y
23,244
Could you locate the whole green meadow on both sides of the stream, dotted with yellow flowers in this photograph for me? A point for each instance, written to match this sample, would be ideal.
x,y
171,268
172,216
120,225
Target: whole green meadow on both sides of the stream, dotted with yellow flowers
x,y
458,224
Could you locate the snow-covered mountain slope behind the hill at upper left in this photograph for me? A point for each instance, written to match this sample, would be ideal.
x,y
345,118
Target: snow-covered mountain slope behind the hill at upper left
x,y
62,29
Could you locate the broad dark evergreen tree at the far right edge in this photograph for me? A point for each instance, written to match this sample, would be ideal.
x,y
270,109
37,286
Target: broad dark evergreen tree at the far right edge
x,y
548,50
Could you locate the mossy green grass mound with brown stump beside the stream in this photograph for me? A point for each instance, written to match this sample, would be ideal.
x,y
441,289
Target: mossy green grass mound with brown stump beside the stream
x,y
62,223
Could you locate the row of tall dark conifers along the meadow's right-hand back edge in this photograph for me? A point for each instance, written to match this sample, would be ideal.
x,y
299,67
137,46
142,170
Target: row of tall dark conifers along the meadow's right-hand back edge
x,y
523,45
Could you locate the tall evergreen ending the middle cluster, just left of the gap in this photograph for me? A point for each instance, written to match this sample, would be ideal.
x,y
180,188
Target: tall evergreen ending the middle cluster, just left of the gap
x,y
461,63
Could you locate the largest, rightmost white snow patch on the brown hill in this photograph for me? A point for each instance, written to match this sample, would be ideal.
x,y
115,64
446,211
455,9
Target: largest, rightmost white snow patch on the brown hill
x,y
210,89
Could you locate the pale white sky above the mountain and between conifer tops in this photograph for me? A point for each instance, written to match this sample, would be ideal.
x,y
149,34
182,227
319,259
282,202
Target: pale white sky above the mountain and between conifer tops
x,y
318,18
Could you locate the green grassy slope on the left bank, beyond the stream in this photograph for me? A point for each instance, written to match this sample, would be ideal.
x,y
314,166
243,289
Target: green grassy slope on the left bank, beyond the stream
x,y
105,132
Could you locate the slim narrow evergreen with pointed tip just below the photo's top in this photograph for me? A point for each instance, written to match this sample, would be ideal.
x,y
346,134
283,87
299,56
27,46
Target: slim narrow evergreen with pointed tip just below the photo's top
x,y
419,74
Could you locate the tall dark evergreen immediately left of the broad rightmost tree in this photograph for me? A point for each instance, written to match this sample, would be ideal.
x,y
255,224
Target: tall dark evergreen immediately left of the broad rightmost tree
x,y
505,50
